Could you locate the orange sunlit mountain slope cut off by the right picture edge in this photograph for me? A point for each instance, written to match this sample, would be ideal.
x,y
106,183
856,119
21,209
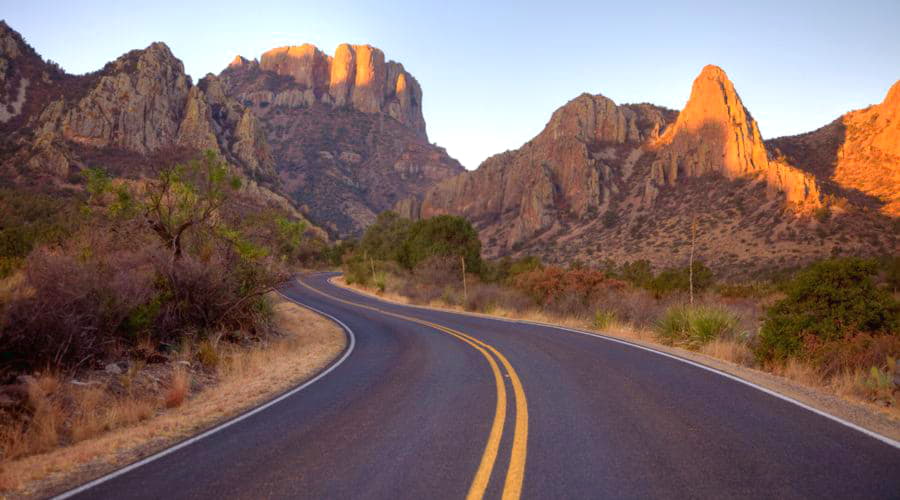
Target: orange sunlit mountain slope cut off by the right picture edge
x,y
856,156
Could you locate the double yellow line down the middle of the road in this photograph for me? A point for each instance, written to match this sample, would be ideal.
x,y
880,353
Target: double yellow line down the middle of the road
x,y
515,473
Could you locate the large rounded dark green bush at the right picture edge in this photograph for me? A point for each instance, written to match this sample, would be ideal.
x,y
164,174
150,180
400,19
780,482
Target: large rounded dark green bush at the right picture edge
x,y
829,301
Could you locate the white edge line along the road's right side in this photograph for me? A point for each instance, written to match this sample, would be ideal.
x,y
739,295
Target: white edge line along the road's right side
x,y
882,438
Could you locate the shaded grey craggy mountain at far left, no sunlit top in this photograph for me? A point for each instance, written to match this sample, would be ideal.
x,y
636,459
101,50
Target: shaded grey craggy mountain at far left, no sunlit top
x,y
136,113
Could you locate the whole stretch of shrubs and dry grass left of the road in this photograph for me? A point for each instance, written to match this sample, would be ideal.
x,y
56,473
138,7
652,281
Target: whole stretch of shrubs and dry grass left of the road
x,y
118,300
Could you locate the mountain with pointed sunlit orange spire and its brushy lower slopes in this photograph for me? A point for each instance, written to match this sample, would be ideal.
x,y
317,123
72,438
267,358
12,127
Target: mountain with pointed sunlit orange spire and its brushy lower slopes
x,y
625,182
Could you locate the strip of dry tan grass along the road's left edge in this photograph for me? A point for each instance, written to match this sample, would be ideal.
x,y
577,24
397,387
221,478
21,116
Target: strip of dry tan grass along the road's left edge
x,y
107,433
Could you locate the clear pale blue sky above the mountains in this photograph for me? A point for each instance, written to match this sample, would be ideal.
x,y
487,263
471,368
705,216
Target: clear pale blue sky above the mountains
x,y
492,74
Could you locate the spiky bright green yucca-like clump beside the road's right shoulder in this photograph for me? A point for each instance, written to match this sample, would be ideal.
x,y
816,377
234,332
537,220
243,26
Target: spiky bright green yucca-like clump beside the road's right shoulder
x,y
695,326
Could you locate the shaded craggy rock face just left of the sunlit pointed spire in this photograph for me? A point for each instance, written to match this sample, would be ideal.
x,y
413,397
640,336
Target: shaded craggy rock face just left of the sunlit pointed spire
x,y
573,168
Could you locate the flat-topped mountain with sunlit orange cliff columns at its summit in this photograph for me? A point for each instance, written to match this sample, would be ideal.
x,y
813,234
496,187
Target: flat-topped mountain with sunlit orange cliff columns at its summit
x,y
346,131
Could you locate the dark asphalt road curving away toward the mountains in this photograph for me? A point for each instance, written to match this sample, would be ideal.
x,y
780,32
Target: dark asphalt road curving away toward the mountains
x,y
433,404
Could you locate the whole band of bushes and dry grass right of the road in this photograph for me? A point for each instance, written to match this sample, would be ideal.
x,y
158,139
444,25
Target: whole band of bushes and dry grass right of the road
x,y
834,324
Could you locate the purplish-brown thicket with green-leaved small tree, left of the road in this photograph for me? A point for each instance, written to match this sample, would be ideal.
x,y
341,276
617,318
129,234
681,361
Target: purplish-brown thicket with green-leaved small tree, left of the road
x,y
157,267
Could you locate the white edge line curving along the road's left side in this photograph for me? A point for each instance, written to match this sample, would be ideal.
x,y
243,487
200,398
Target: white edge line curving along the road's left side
x,y
229,423
